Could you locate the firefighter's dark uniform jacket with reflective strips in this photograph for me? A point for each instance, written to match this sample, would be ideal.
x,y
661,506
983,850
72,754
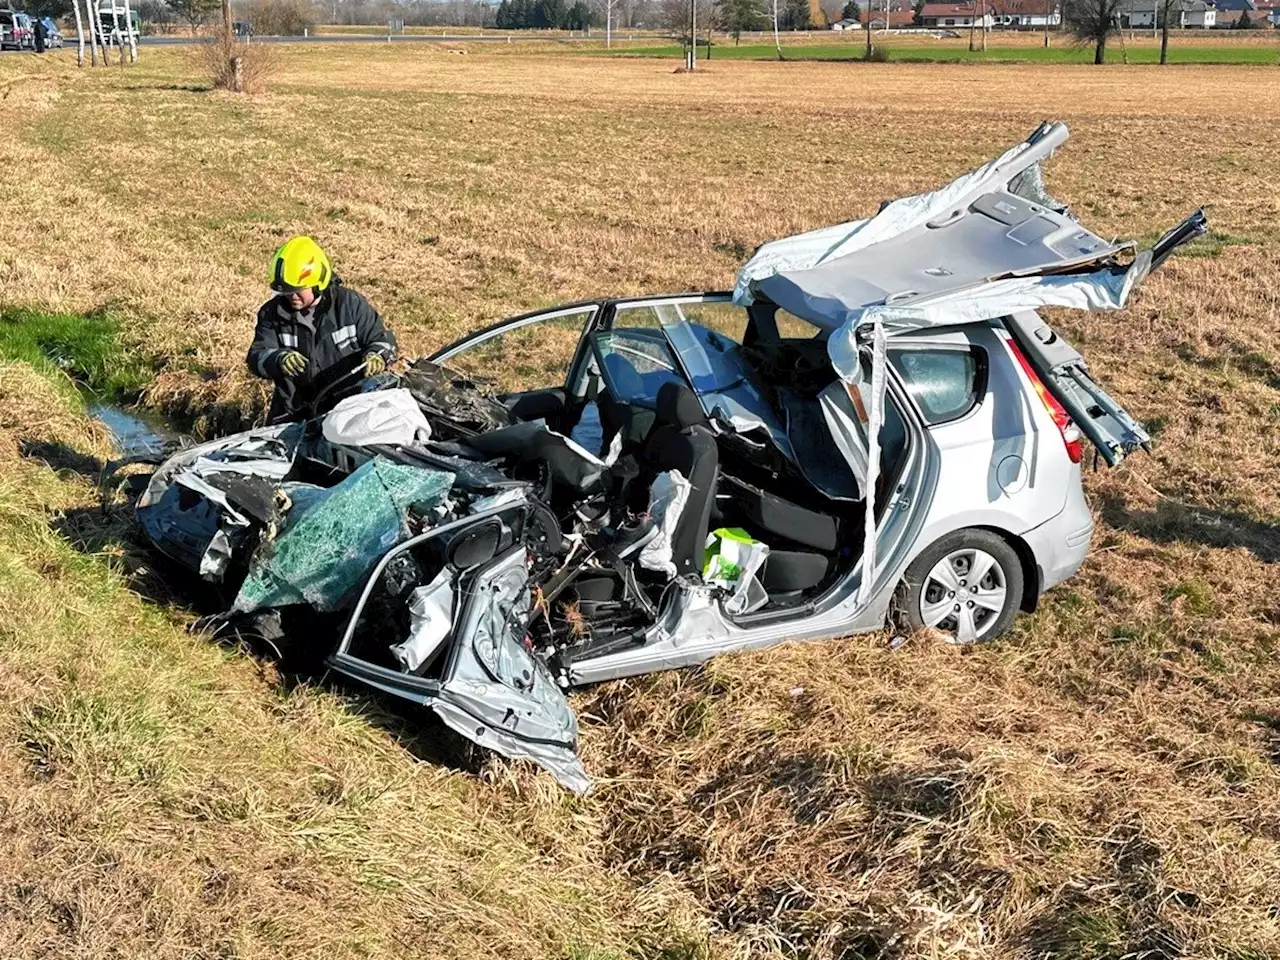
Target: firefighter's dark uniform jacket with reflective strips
x,y
335,333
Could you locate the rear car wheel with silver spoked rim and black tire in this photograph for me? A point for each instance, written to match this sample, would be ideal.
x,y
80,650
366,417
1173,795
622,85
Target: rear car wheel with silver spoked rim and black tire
x,y
939,592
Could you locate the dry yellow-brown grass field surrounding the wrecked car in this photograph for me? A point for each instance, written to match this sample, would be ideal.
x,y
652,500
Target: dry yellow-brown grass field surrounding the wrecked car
x,y
1101,784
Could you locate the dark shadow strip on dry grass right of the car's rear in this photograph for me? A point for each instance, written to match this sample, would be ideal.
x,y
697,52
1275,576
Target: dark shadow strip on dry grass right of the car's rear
x,y
1181,523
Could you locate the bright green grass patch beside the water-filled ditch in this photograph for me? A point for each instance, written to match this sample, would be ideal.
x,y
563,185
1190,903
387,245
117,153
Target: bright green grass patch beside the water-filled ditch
x,y
83,351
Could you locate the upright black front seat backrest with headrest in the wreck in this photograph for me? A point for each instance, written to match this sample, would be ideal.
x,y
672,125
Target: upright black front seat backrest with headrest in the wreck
x,y
682,440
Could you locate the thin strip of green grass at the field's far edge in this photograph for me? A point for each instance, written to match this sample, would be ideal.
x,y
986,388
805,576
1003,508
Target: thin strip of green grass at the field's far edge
x,y
940,53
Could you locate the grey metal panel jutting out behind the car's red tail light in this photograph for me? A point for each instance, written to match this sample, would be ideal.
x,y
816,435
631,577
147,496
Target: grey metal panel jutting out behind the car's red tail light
x,y
1113,431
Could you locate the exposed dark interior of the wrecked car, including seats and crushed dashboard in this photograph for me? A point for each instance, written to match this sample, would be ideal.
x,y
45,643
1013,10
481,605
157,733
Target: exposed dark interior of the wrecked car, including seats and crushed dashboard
x,y
752,444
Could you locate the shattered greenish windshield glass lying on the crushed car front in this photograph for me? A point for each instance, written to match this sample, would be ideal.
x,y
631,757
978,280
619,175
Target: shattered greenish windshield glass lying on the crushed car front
x,y
332,540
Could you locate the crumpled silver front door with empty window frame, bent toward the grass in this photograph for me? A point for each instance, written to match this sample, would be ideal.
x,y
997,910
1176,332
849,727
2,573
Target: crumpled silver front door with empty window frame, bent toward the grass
x,y
492,689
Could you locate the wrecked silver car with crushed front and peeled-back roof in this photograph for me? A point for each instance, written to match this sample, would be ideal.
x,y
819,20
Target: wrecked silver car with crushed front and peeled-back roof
x,y
876,426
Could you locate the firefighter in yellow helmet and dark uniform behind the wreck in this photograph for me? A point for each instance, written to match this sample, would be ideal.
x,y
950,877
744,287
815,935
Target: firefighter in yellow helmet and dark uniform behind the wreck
x,y
314,332
